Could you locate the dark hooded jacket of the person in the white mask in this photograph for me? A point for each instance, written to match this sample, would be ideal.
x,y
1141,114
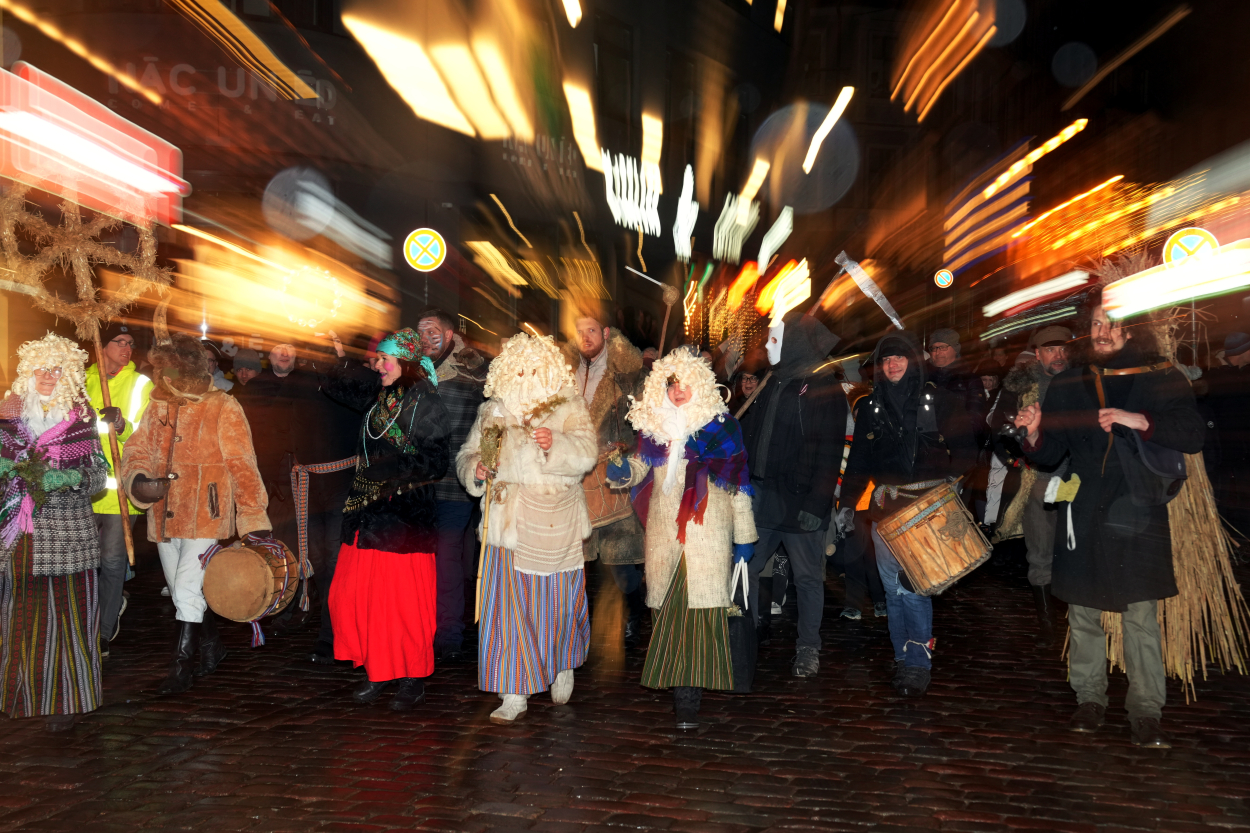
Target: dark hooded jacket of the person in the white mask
x,y
796,460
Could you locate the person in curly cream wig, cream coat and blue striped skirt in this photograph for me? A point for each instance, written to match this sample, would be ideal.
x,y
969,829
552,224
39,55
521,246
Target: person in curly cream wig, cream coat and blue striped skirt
x,y
527,456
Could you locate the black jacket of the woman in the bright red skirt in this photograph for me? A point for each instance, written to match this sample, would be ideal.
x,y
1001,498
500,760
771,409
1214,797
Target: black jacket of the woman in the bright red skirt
x,y
392,503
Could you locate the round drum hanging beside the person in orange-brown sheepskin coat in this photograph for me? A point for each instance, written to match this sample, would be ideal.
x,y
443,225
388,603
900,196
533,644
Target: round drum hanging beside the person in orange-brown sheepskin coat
x,y
242,583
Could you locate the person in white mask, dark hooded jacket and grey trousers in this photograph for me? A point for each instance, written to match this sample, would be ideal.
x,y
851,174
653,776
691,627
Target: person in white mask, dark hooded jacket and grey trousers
x,y
796,432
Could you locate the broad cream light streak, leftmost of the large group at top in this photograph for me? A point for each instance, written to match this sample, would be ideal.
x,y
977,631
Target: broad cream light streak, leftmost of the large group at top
x,y
408,69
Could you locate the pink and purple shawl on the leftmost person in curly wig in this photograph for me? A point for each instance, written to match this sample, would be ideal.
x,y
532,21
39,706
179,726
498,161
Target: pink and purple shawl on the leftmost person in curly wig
x,y
67,446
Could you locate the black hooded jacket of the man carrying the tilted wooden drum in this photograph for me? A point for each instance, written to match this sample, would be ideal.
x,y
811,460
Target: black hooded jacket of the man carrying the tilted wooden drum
x,y
908,432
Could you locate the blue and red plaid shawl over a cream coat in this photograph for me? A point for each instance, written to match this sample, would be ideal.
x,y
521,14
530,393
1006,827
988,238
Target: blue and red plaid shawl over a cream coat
x,y
714,455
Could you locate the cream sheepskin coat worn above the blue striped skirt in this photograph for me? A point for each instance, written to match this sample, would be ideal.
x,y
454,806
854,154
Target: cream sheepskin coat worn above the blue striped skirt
x,y
546,477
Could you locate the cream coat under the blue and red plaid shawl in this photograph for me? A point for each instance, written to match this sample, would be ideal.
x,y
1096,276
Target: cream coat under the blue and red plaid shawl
x,y
709,546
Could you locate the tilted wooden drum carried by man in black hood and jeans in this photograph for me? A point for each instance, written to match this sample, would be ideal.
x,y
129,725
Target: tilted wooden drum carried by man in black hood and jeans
x,y
936,540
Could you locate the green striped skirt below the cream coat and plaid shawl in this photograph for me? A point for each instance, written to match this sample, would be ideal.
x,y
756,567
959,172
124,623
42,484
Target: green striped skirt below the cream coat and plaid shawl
x,y
689,647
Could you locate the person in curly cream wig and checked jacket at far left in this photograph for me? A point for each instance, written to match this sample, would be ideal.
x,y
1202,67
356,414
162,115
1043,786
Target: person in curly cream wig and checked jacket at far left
x,y
51,466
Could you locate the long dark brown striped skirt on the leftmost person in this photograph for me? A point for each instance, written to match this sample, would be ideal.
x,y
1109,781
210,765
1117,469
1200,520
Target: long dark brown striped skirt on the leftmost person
x,y
49,640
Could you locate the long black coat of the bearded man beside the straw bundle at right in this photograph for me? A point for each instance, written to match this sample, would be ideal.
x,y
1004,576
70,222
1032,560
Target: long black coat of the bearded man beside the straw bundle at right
x,y
1123,552
